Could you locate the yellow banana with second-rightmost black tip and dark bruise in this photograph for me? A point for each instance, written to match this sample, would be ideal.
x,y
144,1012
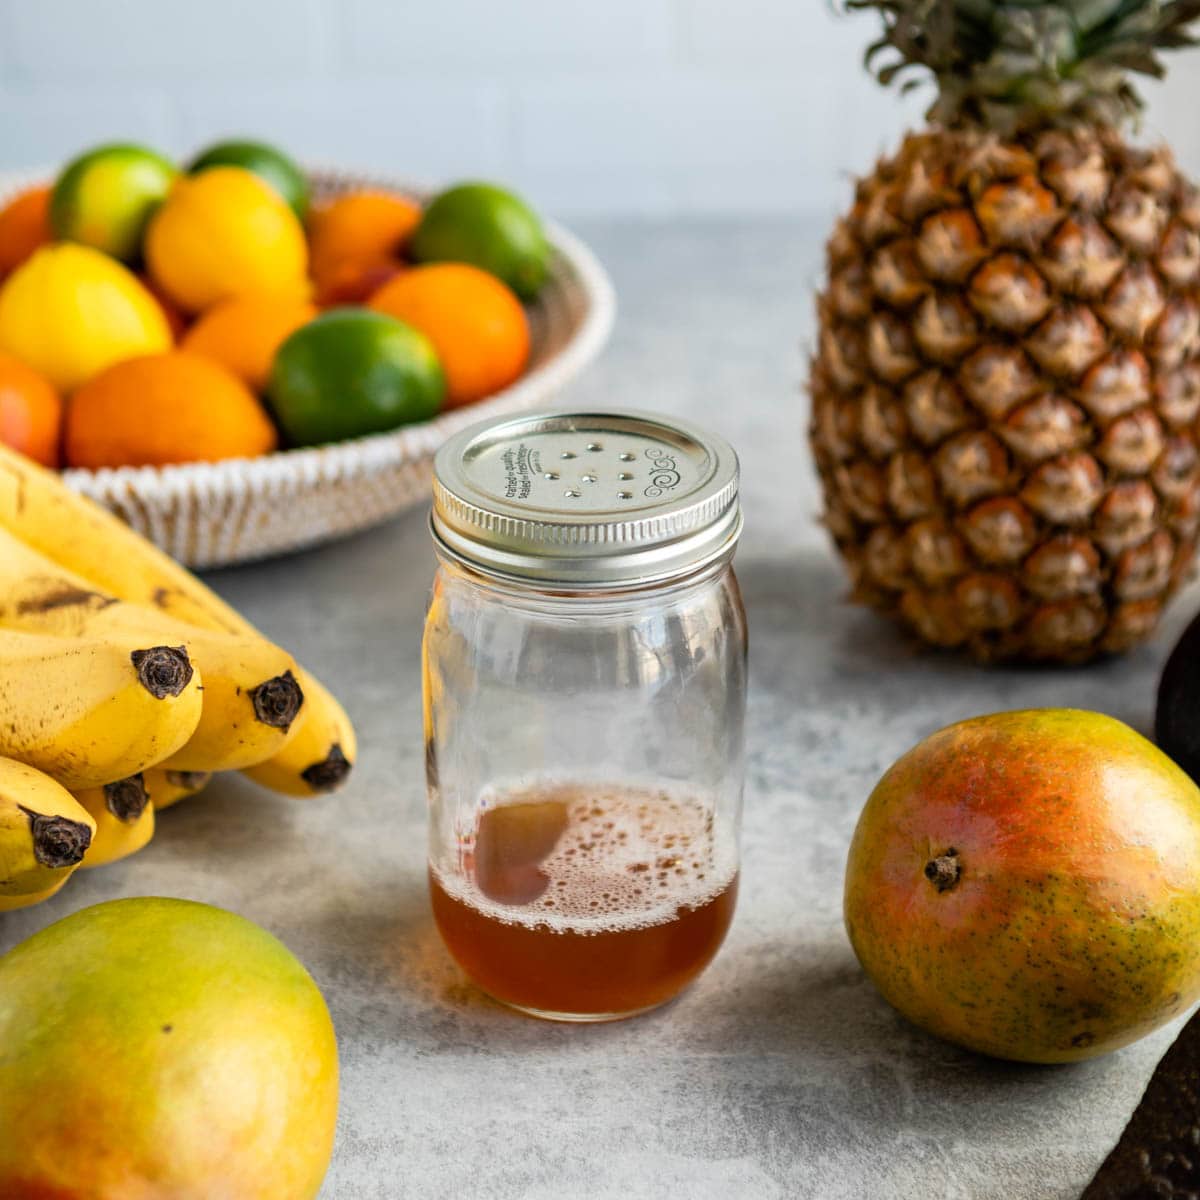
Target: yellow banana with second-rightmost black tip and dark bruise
x,y
250,693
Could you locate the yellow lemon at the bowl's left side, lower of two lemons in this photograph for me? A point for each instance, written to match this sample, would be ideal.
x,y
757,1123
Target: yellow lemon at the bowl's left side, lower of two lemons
x,y
70,313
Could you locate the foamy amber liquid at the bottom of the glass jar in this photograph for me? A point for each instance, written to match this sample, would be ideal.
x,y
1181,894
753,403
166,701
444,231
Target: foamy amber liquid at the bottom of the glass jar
x,y
580,902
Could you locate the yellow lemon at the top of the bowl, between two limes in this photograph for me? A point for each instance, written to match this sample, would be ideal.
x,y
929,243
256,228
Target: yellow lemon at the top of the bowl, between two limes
x,y
221,233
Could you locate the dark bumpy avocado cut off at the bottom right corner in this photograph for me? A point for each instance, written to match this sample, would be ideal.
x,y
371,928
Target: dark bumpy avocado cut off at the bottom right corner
x,y
1159,1155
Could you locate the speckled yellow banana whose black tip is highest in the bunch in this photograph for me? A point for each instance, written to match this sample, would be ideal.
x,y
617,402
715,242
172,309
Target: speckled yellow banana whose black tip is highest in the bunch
x,y
86,711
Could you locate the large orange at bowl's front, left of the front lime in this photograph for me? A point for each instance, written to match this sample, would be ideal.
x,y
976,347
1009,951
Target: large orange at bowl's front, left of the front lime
x,y
161,409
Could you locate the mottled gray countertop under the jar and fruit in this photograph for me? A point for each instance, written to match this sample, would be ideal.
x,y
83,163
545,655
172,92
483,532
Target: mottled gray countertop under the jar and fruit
x,y
782,1073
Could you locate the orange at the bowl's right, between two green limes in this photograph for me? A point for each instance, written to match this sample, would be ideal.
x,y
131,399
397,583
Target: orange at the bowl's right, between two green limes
x,y
476,323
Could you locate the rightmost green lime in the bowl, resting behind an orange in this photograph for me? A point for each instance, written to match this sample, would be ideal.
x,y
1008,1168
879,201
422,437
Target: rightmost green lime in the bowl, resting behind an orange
x,y
490,229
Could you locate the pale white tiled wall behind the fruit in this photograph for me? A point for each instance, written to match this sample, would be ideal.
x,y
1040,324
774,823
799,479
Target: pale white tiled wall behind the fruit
x,y
590,106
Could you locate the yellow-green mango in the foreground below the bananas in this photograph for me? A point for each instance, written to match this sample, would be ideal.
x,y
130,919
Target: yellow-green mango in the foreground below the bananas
x,y
154,1049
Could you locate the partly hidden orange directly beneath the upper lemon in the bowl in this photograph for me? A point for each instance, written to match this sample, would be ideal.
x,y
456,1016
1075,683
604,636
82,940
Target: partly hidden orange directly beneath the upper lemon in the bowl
x,y
244,333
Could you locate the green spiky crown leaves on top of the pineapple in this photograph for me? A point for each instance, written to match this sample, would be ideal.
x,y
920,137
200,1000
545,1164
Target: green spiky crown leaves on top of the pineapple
x,y
1015,65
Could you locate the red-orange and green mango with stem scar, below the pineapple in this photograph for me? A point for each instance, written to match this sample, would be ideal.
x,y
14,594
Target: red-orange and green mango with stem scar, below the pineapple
x,y
1028,885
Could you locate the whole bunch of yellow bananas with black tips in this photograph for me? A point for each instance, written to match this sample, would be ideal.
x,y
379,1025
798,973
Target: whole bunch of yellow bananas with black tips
x,y
125,685
